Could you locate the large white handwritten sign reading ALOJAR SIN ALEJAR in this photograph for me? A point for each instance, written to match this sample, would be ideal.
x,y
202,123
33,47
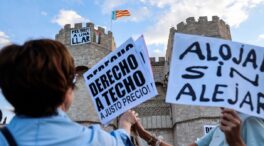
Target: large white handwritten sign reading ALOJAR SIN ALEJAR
x,y
215,72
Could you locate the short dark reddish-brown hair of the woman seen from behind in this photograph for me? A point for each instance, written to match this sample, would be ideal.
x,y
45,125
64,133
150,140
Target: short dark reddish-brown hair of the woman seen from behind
x,y
34,77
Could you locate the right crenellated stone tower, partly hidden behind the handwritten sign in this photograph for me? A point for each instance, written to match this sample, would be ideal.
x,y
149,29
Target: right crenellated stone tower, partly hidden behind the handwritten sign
x,y
188,121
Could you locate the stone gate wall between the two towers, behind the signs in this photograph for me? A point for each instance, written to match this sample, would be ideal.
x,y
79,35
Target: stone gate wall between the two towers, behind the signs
x,y
155,114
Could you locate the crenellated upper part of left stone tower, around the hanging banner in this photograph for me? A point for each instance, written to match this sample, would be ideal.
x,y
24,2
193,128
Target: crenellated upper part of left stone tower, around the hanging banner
x,y
90,53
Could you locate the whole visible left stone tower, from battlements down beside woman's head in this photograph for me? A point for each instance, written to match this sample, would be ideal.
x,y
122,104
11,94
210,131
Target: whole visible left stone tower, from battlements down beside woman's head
x,y
85,56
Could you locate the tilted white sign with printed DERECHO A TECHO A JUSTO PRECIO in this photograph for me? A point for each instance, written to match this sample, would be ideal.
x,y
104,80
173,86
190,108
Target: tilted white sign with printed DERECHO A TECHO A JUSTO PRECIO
x,y
119,82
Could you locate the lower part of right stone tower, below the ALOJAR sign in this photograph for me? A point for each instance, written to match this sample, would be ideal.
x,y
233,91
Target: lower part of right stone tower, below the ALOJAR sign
x,y
189,120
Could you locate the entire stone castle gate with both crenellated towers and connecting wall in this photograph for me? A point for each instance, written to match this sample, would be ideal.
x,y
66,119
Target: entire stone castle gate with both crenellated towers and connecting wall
x,y
176,124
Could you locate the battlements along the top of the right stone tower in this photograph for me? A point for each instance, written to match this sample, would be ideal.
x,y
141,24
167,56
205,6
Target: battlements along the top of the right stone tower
x,y
202,20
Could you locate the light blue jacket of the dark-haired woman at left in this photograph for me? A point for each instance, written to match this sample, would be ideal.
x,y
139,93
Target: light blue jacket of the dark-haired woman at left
x,y
60,130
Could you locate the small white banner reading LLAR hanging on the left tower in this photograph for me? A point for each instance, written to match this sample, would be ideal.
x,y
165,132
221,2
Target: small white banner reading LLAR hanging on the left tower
x,y
80,36
